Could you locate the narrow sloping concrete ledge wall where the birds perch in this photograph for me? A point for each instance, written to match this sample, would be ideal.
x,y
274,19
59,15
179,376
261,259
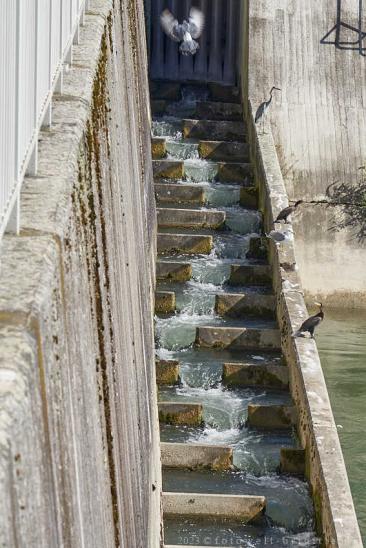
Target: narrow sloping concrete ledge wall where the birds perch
x,y
318,433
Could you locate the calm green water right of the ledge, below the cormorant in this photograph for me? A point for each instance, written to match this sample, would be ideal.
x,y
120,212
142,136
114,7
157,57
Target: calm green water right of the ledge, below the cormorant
x,y
342,347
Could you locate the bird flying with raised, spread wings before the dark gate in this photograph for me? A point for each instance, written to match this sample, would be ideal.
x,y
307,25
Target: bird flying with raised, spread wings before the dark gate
x,y
187,32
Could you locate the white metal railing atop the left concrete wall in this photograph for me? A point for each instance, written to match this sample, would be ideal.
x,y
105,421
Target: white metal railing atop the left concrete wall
x,y
36,38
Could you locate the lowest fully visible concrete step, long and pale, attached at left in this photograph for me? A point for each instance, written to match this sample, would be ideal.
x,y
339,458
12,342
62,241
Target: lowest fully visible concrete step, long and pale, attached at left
x,y
242,508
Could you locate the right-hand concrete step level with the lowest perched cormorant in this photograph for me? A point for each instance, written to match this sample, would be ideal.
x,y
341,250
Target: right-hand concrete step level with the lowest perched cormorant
x,y
238,305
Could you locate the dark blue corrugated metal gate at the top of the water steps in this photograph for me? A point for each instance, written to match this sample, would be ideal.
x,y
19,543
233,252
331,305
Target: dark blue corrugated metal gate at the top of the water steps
x,y
216,58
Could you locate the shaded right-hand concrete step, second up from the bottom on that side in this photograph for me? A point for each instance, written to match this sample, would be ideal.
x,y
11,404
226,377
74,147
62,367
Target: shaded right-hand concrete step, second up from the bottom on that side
x,y
272,417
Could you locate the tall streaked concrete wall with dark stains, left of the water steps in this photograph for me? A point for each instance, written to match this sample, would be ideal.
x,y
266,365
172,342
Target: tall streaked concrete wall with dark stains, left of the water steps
x,y
79,440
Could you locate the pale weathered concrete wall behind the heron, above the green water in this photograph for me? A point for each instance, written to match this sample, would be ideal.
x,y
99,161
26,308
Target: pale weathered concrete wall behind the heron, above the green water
x,y
318,122
